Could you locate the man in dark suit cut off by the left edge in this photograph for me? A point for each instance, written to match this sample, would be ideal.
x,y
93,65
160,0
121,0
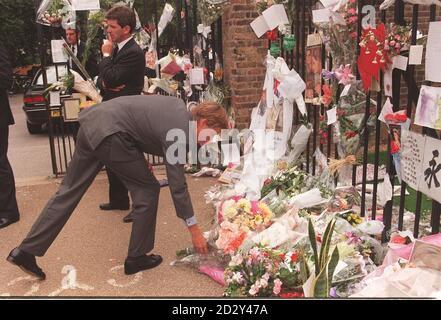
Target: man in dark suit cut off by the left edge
x,y
8,203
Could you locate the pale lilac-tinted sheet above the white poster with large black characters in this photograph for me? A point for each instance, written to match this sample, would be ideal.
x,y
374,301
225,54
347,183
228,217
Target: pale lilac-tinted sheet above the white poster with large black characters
x,y
428,112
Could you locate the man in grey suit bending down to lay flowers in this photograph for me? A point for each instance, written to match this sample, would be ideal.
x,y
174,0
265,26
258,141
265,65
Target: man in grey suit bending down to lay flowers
x,y
116,134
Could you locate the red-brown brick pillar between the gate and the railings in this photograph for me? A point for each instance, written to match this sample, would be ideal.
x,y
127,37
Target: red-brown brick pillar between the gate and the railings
x,y
244,55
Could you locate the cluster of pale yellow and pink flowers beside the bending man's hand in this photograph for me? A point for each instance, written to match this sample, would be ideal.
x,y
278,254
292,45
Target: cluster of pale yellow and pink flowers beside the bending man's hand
x,y
237,217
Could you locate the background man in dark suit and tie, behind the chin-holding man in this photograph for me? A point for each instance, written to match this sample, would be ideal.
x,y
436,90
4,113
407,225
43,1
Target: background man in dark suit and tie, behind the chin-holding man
x,y
77,46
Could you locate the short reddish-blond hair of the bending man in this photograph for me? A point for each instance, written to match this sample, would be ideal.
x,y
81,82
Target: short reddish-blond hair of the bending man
x,y
213,112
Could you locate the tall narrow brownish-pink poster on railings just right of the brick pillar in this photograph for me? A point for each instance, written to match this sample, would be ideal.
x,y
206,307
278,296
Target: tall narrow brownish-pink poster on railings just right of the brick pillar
x,y
313,64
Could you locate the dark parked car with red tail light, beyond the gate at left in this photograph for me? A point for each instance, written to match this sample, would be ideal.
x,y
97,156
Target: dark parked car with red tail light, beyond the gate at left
x,y
34,102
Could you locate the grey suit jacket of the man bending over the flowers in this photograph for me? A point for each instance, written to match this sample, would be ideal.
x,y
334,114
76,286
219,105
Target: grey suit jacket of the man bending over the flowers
x,y
147,120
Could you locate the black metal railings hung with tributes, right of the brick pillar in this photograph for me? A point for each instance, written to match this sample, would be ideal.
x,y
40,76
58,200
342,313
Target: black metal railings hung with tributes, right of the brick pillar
x,y
301,27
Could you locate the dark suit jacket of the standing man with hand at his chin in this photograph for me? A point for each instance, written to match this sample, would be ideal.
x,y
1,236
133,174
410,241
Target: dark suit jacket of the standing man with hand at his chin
x,y
127,68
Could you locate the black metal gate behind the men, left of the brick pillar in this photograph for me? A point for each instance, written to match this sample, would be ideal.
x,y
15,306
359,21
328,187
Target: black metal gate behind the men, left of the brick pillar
x,y
186,20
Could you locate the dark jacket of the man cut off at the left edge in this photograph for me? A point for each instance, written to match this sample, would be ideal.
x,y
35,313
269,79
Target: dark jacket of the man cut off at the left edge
x,y
6,117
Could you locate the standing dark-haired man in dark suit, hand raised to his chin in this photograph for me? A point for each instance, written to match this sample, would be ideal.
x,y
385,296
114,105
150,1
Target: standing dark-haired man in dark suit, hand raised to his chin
x,y
121,74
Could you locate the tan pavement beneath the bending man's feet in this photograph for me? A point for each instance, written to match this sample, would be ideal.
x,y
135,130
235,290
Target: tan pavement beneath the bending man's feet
x,y
86,260
